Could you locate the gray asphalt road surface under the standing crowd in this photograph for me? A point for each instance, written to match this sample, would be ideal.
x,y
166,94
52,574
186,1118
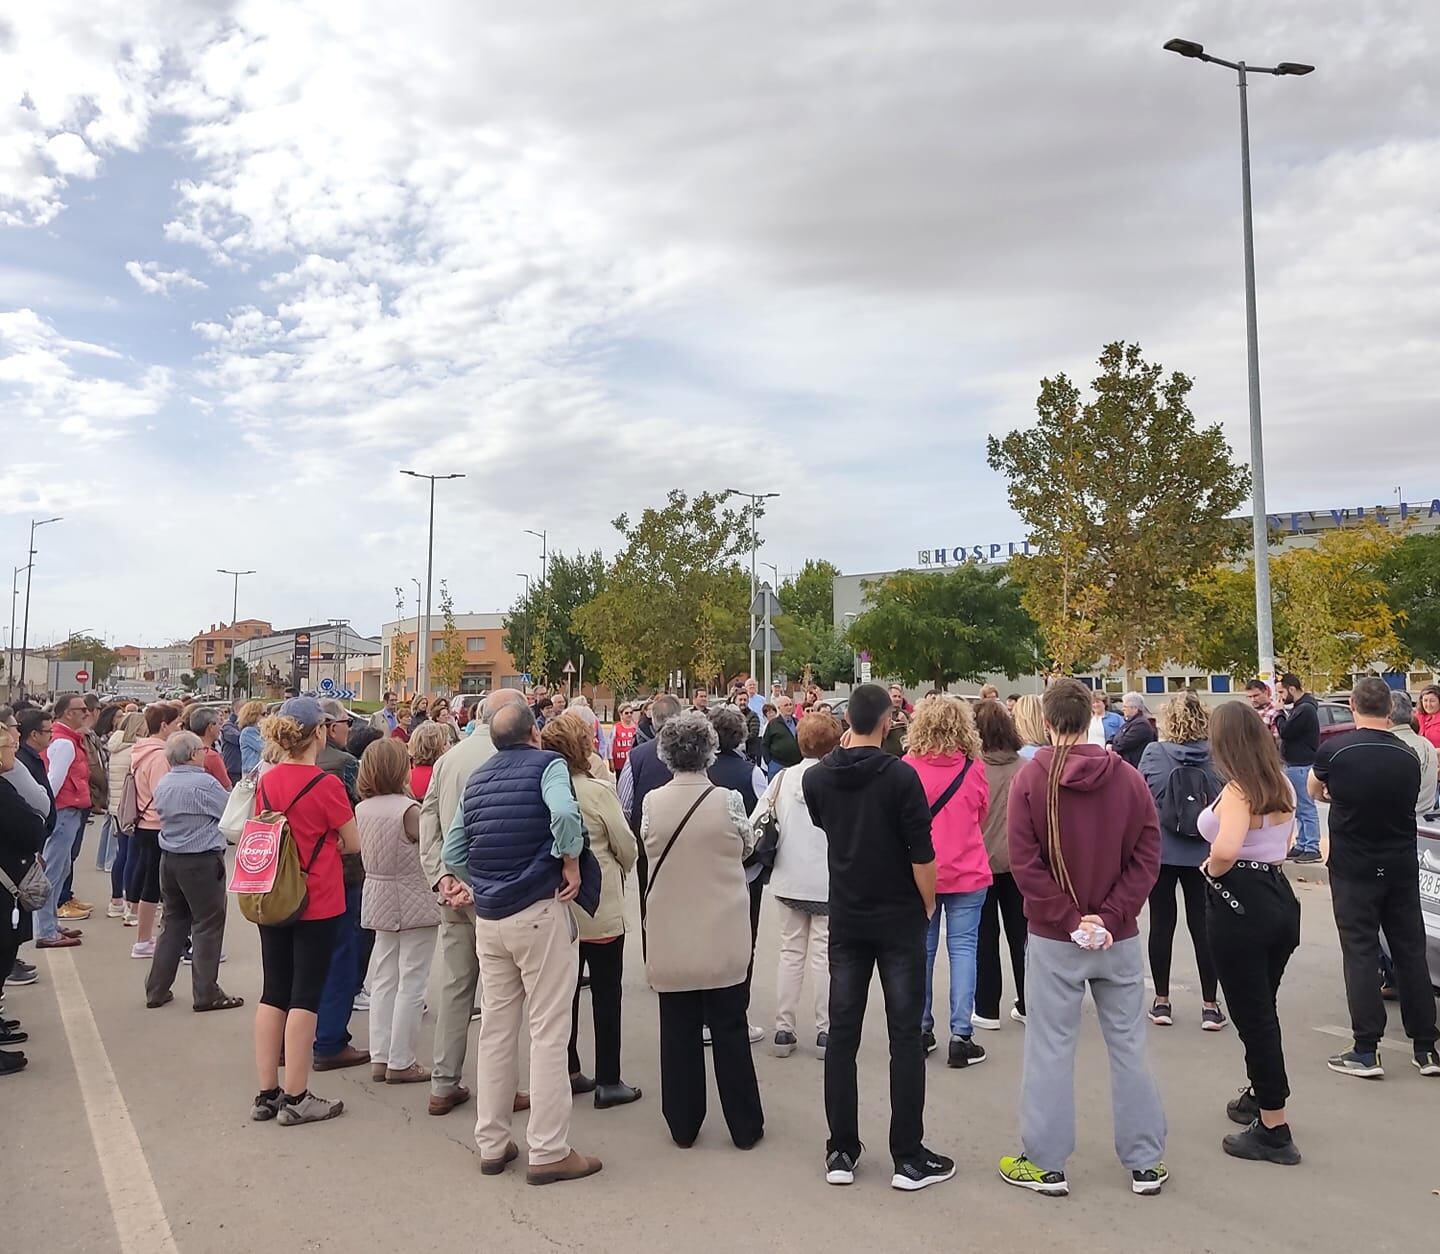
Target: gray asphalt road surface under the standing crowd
x,y
130,1132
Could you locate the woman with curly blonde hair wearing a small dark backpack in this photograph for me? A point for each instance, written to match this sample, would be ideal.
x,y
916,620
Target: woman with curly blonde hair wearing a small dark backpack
x,y
1183,781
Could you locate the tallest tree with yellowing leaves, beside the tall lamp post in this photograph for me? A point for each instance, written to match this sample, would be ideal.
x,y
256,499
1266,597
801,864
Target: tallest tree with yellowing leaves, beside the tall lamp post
x,y
1127,502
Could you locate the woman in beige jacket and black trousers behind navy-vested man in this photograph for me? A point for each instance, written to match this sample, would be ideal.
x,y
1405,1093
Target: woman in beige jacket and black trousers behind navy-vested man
x,y
603,938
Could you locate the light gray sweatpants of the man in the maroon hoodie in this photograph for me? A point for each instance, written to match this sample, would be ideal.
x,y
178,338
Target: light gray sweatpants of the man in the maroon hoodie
x,y
1056,977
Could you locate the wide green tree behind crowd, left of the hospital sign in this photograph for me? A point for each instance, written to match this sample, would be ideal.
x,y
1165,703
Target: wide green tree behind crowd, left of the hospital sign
x,y
676,597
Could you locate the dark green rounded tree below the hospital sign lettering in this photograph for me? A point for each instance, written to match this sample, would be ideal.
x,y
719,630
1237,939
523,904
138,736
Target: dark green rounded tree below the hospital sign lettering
x,y
937,628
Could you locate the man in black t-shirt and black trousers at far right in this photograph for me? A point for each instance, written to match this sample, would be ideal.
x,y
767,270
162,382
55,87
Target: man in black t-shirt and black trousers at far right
x,y
1372,781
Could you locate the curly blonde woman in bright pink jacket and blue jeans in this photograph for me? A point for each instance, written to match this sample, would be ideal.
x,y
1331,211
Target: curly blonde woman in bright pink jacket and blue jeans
x,y
945,751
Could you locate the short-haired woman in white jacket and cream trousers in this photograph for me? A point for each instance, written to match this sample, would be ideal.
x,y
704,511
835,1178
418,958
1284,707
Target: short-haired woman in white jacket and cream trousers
x,y
800,885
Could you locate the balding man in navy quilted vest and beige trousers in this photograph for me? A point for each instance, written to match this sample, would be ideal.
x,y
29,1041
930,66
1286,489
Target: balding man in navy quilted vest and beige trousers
x,y
516,840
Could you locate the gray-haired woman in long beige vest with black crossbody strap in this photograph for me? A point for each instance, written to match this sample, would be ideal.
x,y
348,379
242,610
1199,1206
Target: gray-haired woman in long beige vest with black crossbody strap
x,y
698,935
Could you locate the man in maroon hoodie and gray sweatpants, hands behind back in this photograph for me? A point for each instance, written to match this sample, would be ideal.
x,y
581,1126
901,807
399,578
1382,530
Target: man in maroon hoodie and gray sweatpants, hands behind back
x,y
1085,850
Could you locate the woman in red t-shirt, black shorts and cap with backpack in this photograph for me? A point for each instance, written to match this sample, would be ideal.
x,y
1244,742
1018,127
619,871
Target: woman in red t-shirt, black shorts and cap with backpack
x,y
296,960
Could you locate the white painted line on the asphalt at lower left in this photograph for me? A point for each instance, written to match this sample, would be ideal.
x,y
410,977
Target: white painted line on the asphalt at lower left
x,y
140,1219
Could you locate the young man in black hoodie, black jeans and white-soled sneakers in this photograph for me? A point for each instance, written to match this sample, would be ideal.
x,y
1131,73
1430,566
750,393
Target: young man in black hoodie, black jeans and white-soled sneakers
x,y
882,893
